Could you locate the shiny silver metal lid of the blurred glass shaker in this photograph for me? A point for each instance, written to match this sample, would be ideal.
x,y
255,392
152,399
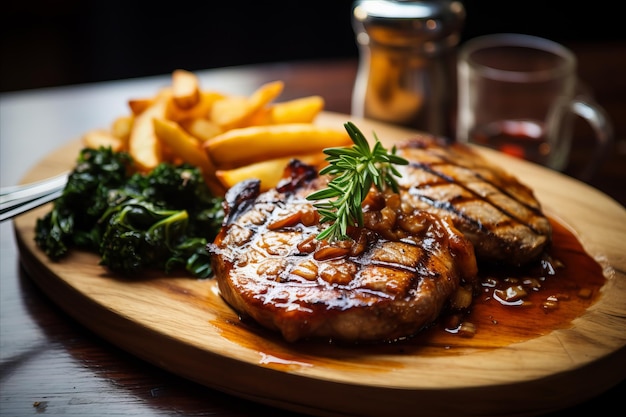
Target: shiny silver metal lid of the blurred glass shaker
x,y
427,25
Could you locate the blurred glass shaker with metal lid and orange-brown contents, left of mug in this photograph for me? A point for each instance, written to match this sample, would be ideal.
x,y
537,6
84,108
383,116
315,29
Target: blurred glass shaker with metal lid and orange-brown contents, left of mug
x,y
406,62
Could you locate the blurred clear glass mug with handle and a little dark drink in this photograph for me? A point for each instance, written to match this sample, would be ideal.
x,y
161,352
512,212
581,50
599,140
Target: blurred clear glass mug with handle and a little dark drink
x,y
519,94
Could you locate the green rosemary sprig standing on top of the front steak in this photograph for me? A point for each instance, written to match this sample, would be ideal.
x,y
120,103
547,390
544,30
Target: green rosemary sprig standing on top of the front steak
x,y
355,169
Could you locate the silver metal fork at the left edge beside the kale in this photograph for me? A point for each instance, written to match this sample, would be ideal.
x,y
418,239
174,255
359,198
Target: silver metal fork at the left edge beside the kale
x,y
18,199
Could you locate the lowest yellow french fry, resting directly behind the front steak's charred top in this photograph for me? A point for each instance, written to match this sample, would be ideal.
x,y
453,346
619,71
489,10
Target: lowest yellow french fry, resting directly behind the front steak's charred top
x,y
269,172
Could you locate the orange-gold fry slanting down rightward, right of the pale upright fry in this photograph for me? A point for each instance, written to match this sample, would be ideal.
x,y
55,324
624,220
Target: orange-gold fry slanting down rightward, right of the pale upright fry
x,y
188,149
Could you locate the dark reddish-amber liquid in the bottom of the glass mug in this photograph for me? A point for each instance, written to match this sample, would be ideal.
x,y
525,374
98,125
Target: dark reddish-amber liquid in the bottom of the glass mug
x,y
523,139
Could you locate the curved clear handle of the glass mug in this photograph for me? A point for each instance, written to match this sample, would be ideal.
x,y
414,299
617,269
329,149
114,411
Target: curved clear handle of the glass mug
x,y
596,116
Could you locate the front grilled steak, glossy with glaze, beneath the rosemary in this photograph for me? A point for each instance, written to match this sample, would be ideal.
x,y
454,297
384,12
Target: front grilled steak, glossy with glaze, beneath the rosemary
x,y
393,279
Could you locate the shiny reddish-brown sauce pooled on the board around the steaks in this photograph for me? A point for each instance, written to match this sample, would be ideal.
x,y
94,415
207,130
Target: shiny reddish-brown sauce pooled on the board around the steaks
x,y
562,296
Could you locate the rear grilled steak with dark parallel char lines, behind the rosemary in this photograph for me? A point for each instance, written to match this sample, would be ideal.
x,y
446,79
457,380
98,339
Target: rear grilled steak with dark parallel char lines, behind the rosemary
x,y
497,213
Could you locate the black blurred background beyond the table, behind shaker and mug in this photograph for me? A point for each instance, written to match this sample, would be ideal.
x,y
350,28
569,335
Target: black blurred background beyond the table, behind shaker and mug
x,y
62,42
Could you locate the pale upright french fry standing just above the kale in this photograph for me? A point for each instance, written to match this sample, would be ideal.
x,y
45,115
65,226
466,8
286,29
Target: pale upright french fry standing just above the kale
x,y
143,144
